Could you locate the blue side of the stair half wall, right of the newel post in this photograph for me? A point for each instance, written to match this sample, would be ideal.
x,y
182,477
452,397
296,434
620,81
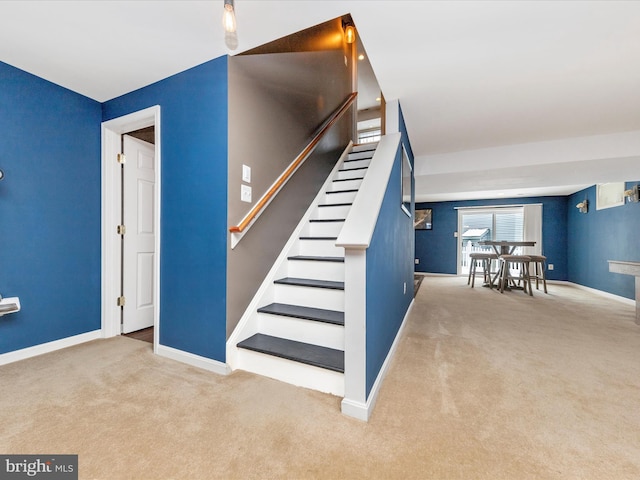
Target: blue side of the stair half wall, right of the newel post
x,y
389,269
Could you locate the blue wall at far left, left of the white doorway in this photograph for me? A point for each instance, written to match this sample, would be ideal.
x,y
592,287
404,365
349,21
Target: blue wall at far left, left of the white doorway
x,y
50,210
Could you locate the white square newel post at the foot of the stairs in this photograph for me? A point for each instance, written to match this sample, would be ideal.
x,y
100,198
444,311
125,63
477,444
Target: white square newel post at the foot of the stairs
x,y
354,403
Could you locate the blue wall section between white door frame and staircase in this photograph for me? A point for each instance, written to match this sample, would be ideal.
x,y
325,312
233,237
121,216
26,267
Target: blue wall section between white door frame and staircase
x,y
193,113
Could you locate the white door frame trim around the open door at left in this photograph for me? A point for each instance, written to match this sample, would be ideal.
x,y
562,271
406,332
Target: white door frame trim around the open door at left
x,y
112,130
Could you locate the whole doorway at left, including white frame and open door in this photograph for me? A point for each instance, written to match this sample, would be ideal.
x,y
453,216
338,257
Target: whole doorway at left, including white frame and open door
x,y
131,223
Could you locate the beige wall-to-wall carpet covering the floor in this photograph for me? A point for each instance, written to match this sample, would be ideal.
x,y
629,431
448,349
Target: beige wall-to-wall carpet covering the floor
x,y
483,386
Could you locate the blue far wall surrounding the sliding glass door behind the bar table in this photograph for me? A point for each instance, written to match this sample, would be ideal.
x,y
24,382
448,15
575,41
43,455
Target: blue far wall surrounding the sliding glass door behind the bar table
x,y
437,248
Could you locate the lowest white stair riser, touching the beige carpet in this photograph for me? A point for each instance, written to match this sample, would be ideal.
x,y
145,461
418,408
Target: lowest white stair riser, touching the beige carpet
x,y
295,373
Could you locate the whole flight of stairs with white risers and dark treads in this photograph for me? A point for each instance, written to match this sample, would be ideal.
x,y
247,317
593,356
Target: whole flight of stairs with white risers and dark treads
x,y
296,334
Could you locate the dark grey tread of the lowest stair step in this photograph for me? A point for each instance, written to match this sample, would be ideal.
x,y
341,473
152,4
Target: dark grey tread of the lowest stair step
x,y
315,355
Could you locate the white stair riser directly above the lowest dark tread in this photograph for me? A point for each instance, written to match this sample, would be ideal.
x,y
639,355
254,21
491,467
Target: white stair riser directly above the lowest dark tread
x,y
302,330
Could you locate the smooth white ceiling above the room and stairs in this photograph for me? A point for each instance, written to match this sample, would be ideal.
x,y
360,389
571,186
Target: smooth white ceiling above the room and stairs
x,y
470,75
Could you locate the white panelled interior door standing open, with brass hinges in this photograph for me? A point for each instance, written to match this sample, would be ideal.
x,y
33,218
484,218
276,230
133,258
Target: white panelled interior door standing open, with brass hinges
x,y
139,238
